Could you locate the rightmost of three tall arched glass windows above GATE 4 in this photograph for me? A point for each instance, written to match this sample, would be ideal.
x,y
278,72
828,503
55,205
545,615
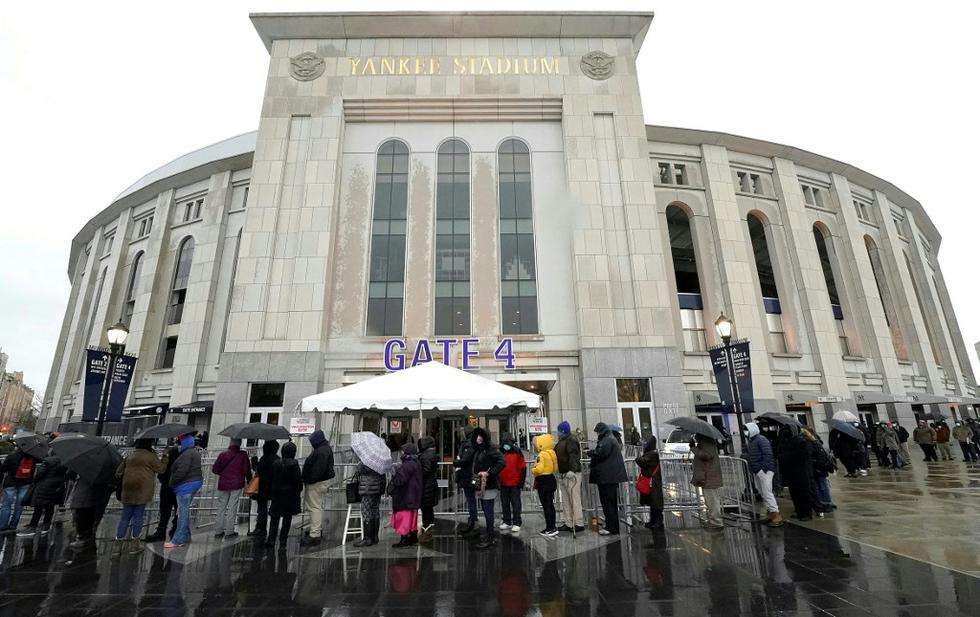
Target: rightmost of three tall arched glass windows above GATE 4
x,y
518,285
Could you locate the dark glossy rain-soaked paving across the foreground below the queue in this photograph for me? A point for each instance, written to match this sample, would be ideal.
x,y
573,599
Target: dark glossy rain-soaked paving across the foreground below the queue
x,y
742,570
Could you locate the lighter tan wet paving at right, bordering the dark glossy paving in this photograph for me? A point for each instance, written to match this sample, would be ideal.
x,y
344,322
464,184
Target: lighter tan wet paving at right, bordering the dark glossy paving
x,y
925,512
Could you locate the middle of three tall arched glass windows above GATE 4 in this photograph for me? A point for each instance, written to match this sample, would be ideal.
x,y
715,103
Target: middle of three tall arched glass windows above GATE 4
x,y
452,301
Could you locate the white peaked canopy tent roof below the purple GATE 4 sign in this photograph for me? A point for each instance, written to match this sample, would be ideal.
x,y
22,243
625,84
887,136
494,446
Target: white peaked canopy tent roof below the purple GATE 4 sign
x,y
430,388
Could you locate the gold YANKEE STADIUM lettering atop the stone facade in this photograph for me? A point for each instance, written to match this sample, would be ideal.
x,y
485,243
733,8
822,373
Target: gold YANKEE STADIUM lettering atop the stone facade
x,y
454,65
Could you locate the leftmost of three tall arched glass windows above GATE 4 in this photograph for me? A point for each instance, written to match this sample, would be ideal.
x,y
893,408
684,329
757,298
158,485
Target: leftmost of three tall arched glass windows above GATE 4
x,y
386,287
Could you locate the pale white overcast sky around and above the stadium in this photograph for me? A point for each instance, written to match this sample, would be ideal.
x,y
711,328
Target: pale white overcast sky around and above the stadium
x,y
94,94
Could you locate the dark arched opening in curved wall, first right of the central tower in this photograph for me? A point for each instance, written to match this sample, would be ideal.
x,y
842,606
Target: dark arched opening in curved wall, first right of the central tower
x,y
686,277
